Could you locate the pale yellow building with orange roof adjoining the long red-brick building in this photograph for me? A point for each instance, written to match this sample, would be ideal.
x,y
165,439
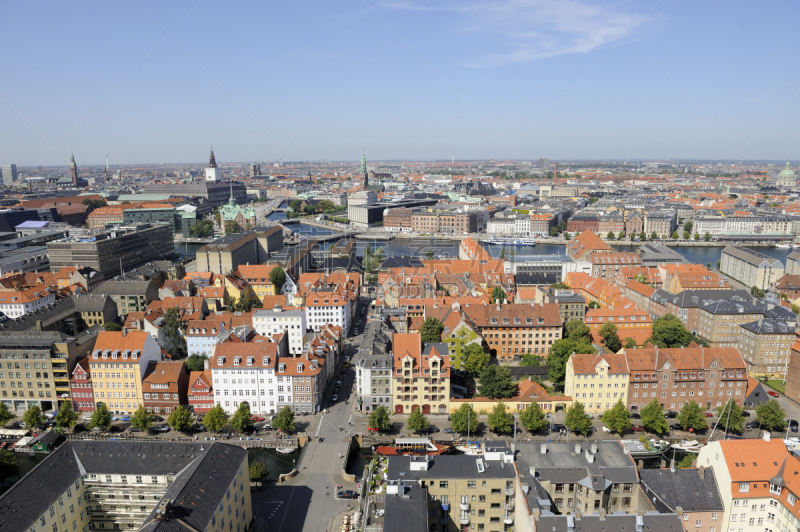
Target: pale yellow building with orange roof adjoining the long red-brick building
x,y
597,381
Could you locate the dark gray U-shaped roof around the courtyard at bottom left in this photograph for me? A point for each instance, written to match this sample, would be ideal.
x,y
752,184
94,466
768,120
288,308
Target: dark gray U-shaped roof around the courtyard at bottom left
x,y
203,472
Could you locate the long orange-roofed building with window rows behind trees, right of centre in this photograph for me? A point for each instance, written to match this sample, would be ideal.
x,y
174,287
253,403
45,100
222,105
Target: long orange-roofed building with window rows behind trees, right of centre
x,y
513,330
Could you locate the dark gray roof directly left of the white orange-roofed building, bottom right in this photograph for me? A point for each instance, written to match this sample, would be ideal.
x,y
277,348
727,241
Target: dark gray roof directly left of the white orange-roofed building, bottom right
x,y
684,488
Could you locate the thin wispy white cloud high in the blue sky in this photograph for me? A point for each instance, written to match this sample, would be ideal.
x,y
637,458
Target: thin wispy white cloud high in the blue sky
x,y
526,30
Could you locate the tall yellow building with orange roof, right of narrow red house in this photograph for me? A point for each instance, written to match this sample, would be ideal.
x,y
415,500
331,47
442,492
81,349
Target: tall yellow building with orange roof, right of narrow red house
x,y
131,352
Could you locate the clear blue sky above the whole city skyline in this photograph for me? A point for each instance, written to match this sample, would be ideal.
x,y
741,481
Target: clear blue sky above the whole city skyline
x,y
159,82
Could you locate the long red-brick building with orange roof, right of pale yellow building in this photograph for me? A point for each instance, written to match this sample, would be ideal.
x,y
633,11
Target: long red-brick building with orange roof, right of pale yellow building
x,y
709,376
